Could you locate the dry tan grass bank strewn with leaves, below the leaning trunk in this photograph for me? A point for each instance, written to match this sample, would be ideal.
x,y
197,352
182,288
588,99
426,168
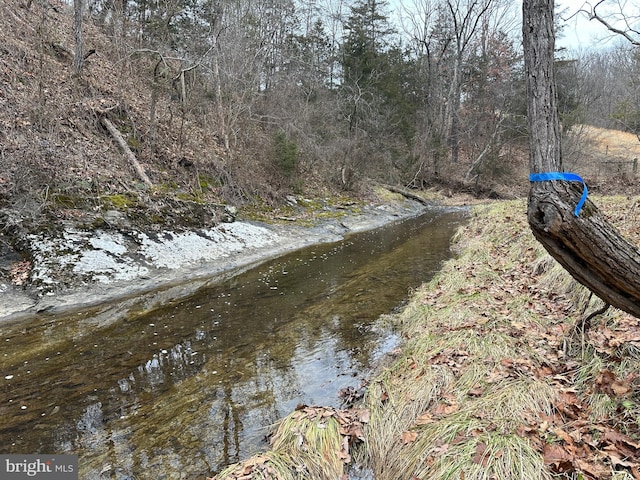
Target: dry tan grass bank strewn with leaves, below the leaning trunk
x,y
493,381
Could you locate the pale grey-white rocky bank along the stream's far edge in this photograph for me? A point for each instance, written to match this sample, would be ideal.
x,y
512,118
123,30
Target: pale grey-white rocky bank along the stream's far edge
x,y
83,268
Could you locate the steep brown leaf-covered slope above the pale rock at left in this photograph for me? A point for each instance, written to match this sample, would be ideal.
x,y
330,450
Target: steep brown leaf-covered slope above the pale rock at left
x,y
58,161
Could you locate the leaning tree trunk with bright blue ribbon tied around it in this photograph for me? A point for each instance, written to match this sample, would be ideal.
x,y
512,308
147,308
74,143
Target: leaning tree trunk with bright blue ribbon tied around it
x,y
580,239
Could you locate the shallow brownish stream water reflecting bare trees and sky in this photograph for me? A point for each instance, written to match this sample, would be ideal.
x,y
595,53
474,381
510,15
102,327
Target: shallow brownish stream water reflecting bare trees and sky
x,y
184,389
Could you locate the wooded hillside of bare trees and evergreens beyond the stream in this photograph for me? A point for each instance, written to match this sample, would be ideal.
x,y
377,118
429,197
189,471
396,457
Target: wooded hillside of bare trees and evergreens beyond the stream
x,y
145,105
